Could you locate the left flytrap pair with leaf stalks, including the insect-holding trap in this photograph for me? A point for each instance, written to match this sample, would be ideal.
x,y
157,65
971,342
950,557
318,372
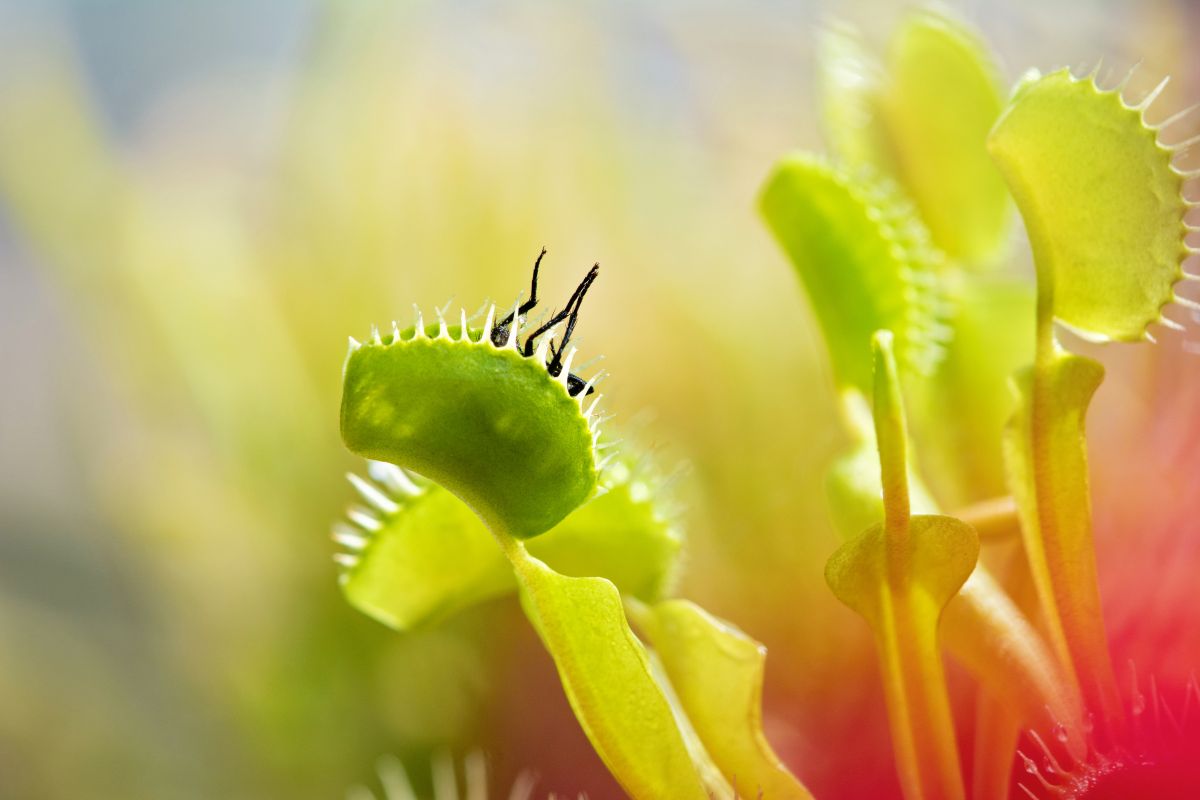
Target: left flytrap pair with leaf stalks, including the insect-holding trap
x,y
483,437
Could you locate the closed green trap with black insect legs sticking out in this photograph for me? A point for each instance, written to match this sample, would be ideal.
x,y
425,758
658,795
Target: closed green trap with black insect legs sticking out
x,y
409,401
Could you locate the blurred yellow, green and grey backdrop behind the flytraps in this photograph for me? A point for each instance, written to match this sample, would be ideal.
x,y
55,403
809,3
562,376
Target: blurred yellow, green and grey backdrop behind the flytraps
x,y
201,201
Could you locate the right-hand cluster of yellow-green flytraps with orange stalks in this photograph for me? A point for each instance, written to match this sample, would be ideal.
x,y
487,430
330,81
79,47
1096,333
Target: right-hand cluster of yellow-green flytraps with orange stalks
x,y
1105,209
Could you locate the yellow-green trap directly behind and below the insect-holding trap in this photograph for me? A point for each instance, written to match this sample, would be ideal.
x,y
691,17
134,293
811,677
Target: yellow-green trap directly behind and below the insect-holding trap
x,y
417,555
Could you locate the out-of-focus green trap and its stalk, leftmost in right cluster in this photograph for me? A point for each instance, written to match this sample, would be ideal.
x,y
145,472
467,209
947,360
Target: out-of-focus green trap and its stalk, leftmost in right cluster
x,y
868,264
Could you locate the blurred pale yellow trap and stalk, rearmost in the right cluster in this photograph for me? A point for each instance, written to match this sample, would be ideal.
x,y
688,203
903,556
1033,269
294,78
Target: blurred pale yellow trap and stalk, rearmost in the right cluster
x,y
919,119
